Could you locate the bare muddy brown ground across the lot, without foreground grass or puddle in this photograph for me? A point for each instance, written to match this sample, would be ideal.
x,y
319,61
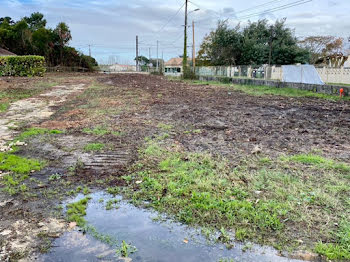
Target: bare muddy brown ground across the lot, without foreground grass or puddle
x,y
131,107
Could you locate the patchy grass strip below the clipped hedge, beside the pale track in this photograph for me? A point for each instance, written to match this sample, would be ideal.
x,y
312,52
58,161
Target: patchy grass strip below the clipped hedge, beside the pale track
x,y
10,95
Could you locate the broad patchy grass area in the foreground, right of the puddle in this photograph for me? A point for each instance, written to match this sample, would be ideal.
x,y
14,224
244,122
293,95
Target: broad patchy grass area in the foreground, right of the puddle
x,y
291,202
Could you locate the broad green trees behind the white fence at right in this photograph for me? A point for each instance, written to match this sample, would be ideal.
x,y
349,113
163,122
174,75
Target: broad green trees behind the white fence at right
x,y
261,43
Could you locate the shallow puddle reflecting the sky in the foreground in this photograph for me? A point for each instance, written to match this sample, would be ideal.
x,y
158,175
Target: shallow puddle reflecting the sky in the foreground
x,y
155,241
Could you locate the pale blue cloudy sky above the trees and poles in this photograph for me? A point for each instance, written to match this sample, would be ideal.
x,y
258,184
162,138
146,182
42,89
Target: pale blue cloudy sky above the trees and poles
x,y
110,26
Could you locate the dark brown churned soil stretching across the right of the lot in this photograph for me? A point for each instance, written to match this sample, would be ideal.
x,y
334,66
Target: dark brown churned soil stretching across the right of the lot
x,y
232,123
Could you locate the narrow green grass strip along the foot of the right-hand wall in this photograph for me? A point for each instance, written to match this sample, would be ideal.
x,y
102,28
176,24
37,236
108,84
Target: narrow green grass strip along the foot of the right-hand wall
x,y
266,90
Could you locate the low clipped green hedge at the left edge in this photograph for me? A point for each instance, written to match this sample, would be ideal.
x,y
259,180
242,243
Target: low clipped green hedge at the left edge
x,y
22,65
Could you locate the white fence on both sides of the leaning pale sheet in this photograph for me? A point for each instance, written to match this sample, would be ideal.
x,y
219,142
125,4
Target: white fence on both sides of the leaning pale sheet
x,y
328,75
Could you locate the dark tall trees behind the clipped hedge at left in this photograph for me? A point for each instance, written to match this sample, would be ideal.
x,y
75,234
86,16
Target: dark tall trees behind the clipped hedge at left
x,y
30,36
